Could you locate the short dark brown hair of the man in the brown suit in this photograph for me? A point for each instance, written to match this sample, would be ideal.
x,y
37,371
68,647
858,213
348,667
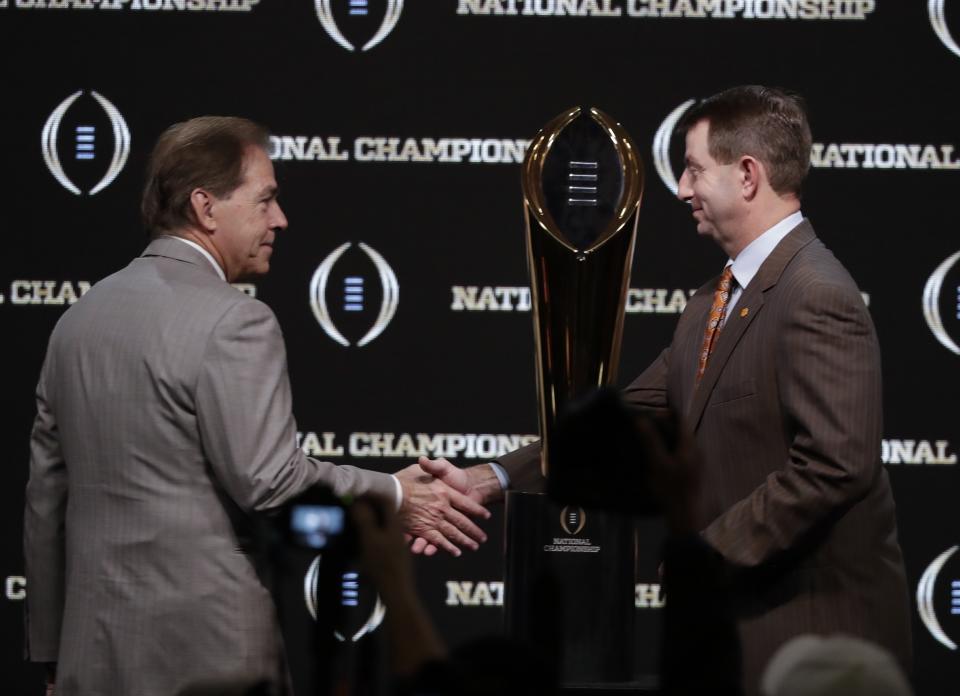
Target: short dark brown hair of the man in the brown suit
x,y
764,122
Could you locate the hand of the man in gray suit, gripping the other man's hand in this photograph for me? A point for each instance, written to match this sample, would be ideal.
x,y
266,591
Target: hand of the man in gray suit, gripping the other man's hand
x,y
436,512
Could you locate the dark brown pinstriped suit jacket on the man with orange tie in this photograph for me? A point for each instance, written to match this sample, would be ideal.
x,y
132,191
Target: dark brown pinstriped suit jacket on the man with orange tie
x,y
788,417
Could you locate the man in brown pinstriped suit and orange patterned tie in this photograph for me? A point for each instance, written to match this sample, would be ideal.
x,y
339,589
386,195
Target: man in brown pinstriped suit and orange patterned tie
x,y
775,367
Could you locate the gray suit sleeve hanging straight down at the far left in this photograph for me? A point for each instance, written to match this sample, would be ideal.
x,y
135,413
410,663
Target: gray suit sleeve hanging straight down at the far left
x,y
43,530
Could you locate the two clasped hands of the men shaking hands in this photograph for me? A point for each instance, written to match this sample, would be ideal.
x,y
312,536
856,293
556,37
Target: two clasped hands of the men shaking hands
x,y
439,500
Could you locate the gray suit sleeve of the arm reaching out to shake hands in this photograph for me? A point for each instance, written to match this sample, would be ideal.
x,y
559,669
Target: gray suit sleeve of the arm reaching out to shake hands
x,y
246,422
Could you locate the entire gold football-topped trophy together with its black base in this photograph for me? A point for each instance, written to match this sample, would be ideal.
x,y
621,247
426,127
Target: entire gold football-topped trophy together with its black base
x,y
569,571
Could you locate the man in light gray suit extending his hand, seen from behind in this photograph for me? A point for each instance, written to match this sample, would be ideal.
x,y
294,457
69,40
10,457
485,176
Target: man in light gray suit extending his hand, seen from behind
x,y
163,422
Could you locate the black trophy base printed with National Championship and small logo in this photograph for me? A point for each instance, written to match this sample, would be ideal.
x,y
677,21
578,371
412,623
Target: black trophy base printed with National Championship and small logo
x,y
569,589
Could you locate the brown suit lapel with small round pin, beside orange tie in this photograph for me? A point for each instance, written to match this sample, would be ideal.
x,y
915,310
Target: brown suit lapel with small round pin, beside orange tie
x,y
747,309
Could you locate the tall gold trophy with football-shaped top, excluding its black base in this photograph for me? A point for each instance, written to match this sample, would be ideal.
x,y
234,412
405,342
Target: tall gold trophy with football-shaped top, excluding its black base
x,y
582,184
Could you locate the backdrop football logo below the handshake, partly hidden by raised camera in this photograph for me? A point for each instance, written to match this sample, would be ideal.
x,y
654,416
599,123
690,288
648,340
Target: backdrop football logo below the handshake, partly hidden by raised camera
x,y
363,610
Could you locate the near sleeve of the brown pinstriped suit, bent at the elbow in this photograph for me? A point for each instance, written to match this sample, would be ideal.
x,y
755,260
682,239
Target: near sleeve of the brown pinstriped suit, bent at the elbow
x,y
828,379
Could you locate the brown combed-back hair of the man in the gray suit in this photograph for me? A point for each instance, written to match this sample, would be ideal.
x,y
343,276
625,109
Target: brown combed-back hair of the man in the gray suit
x,y
205,152
